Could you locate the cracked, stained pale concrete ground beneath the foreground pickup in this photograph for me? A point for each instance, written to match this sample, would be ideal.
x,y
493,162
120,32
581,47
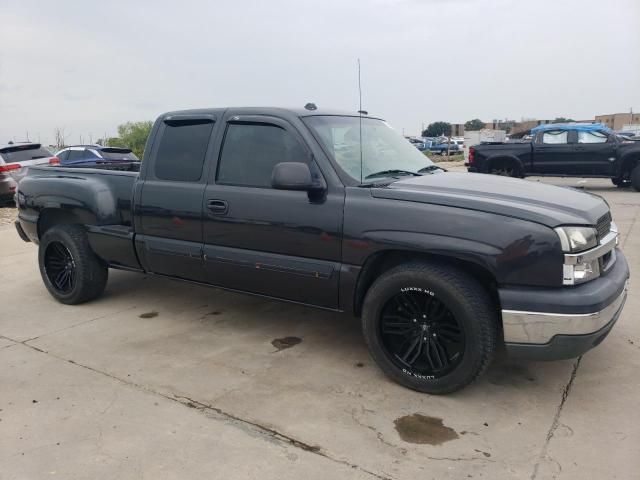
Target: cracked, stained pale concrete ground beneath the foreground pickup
x,y
192,394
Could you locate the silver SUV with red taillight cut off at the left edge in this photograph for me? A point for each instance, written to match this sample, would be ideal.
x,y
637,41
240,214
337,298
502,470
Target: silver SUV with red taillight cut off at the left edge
x,y
15,159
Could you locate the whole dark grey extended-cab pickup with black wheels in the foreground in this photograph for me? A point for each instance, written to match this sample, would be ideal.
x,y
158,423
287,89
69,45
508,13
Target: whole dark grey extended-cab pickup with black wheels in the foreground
x,y
338,211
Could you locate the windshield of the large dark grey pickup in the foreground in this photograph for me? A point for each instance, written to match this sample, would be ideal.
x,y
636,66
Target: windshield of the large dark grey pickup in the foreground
x,y
385,153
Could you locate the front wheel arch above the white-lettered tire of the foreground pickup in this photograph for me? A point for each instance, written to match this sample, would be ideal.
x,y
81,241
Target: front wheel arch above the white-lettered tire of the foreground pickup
x,y
381,262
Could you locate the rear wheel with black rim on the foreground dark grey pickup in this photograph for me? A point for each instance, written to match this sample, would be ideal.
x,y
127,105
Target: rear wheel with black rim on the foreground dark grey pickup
x,y
70,270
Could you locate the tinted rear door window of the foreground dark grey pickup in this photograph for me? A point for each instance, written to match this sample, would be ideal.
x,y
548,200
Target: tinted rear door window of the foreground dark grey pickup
x,y
182,149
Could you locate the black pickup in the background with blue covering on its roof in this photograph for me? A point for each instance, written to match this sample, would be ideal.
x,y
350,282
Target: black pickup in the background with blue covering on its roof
x,y
570,150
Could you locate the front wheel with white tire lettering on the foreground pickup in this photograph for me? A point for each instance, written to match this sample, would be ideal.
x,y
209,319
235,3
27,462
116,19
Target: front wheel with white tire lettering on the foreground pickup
x,y
430,327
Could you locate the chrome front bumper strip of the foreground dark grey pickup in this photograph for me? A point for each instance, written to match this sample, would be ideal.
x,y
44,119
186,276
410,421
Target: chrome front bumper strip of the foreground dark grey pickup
x,y
541,327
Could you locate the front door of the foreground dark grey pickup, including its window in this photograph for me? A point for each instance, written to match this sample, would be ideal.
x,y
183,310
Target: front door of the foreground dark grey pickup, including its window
x,y
280,243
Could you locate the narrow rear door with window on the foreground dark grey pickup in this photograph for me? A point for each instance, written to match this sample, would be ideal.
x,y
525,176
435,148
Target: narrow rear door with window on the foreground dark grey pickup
x,y
169,203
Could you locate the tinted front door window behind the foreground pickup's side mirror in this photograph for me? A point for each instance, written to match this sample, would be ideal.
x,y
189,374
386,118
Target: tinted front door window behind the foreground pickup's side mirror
x,y
251,151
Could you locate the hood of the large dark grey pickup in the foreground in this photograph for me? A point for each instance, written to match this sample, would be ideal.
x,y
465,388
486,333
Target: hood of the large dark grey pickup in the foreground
x,y
527,200
